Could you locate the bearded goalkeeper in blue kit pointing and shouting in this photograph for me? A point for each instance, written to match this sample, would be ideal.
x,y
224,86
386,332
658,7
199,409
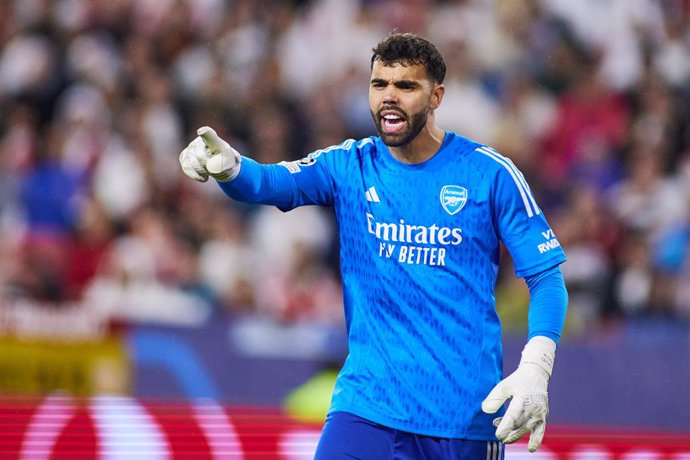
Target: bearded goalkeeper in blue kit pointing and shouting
x,y
421,213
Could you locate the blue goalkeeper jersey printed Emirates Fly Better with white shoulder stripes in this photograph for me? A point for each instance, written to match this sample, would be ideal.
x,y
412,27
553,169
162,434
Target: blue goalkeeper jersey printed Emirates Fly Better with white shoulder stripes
x,y
419,254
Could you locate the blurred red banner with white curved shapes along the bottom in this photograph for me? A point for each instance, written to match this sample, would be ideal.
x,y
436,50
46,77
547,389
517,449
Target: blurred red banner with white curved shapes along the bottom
x,y
124,427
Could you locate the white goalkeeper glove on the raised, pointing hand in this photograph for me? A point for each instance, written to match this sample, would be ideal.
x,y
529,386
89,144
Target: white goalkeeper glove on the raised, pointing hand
x,y
209,155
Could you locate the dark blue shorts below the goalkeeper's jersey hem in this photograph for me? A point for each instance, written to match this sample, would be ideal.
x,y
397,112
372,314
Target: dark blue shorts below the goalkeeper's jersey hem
x,y
347,436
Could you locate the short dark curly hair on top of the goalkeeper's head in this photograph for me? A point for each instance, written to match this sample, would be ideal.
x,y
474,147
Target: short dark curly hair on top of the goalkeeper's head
x,y
410,49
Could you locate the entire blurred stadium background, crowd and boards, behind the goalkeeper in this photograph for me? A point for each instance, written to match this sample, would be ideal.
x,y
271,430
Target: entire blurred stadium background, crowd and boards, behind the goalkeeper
x,y
143,314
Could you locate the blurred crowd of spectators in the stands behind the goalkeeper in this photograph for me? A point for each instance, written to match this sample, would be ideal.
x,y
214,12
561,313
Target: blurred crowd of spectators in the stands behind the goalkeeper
x,y
590,98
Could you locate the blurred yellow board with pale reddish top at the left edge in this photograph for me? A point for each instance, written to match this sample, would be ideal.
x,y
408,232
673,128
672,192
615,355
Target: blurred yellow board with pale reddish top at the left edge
x,y
44,350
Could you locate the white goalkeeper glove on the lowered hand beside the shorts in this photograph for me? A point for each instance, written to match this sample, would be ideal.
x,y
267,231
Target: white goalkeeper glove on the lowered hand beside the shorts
x,y
527,387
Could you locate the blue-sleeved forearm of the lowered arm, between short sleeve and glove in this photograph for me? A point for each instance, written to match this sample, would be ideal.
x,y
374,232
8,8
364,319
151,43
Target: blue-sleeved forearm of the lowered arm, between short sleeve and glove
x,y
548,303
